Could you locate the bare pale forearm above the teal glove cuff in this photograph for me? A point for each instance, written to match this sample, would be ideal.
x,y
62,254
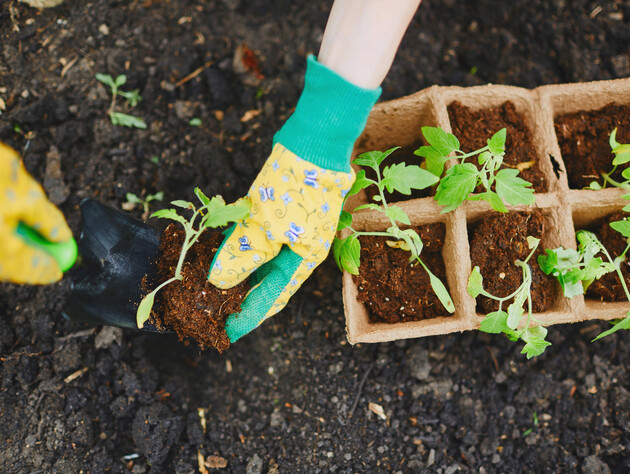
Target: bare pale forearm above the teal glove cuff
x,y
362,37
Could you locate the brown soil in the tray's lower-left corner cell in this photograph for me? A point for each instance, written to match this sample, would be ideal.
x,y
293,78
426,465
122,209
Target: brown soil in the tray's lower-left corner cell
x,y
395,290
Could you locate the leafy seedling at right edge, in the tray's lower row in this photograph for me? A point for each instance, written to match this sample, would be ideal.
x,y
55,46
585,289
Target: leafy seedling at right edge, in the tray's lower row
x,y
577,269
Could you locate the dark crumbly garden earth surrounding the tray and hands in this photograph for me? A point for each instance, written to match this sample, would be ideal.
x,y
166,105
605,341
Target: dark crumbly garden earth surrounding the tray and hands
x,y
293,396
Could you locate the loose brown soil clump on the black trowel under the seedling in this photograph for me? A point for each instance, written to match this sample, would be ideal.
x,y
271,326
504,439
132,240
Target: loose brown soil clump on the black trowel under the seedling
x,y
194,308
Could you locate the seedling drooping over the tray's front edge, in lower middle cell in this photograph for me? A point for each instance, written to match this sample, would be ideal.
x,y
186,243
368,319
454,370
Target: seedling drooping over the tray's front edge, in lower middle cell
x,y
508,322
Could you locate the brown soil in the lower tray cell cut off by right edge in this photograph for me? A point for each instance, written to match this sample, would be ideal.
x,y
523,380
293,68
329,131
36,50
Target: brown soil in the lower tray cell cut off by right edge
x,y
608,287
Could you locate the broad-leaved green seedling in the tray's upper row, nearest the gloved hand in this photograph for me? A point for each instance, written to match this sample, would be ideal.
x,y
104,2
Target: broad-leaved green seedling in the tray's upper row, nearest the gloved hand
x,y
461,179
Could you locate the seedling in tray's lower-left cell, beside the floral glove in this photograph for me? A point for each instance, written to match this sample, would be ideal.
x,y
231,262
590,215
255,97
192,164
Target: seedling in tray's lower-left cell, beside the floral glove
x,y
397,177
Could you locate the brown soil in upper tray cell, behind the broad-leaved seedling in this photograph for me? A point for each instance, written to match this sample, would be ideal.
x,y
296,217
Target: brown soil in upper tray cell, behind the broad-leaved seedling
x,y
474,128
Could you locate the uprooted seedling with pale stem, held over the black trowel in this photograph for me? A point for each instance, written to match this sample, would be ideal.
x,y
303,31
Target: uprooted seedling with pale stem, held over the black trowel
x,y
212,213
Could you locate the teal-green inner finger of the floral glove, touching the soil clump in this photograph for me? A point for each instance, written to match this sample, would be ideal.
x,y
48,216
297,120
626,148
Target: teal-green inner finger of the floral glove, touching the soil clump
x,y
271,279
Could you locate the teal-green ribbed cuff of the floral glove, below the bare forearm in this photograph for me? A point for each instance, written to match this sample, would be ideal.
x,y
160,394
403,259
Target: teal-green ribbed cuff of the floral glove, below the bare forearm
x,y
329,117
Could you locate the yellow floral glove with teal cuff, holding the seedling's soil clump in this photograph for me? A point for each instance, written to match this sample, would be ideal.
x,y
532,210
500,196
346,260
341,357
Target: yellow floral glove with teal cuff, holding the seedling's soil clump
x,y
296,198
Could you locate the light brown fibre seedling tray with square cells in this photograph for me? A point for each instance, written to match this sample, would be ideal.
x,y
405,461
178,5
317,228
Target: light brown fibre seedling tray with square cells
x,y
398,122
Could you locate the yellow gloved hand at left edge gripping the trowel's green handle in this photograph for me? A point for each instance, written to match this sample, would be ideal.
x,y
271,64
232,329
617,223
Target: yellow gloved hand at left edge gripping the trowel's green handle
x,y
22,200
